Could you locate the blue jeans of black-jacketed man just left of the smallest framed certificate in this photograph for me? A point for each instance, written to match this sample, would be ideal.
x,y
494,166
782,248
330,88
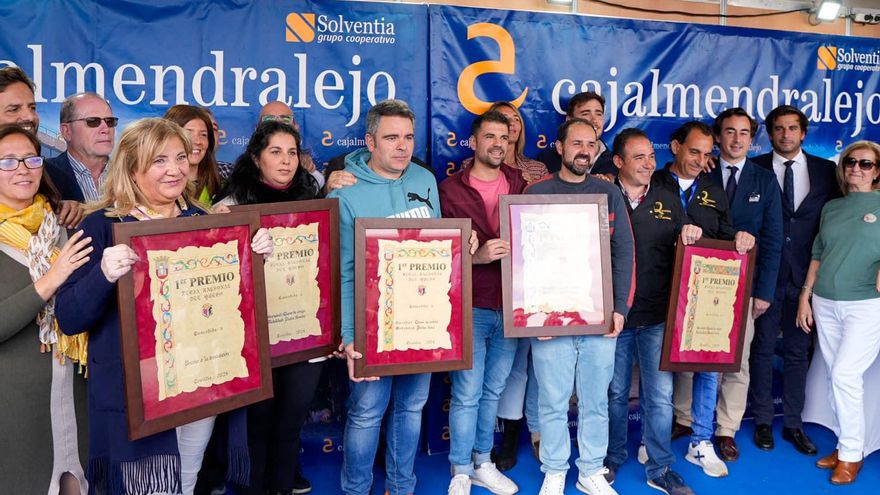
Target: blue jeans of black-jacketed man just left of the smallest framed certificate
x,y
655,398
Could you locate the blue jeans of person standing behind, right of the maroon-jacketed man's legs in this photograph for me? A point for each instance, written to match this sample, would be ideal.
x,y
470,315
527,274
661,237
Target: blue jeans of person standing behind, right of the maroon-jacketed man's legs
x,y
521,388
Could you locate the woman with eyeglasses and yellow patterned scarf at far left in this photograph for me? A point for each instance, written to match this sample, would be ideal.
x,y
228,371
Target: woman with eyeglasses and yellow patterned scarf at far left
x,y
43,422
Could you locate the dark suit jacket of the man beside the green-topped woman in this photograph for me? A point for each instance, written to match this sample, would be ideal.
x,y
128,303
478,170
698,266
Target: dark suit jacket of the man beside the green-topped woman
x,y
801,226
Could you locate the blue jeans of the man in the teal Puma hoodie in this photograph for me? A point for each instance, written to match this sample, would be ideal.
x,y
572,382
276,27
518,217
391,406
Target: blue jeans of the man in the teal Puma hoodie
x,y
367,403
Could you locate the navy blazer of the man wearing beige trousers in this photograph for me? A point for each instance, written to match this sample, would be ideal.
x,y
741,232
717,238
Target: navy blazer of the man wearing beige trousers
x,y
757,209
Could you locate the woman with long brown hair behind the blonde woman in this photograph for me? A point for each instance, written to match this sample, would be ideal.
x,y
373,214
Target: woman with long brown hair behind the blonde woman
x,y
203,171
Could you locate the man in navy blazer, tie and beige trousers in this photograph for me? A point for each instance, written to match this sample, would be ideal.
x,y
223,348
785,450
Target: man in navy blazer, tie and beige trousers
x,y
756,209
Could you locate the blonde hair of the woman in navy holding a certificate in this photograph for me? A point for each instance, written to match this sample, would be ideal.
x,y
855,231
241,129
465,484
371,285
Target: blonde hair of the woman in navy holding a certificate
x,y
138,145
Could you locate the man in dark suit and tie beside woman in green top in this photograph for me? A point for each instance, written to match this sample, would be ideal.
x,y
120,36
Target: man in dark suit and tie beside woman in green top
x,y
807,183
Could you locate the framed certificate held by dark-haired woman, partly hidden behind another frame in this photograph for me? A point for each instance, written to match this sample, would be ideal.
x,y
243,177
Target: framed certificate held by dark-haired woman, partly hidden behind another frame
x,y
302,278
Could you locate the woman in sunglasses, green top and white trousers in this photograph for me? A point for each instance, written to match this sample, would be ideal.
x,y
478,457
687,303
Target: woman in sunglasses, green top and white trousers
x,y
842,295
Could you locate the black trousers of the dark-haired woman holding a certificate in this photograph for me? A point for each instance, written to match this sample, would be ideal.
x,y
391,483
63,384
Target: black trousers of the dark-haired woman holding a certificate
x,y
274,426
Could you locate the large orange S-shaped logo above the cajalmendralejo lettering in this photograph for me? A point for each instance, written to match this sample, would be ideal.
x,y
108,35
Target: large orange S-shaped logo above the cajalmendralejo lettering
x,y
505,65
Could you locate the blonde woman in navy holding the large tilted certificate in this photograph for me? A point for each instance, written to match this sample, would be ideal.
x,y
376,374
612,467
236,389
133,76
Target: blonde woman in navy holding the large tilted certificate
x,y
148,180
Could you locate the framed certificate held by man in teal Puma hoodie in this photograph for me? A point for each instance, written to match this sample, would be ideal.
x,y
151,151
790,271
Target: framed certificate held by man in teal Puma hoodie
x,y
412,296
